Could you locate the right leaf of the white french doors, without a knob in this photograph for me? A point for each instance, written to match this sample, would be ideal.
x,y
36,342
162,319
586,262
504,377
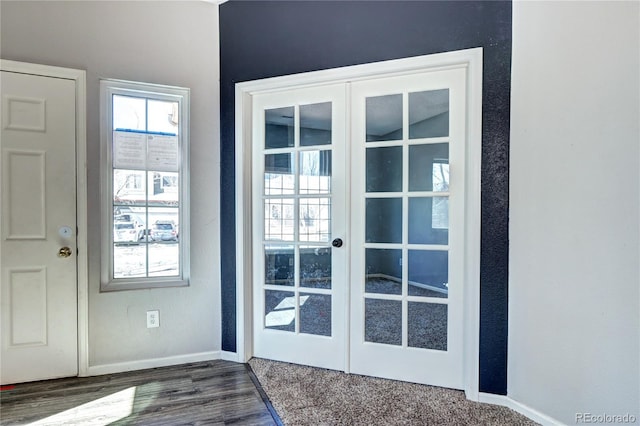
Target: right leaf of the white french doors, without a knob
x,y
407,227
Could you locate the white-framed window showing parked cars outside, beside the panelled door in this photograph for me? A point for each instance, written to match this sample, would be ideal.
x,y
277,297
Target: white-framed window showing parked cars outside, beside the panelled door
x,y
145,174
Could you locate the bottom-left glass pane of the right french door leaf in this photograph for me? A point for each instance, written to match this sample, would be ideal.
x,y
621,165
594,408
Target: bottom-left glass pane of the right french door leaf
x,y
383,321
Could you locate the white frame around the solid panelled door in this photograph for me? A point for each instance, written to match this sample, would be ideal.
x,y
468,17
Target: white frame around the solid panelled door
x,y
82,262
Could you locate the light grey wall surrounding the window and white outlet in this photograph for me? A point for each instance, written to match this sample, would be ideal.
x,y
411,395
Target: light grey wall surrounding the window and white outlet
x,y
174,43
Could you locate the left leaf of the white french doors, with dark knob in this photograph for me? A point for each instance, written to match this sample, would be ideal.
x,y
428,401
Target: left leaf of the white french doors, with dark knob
x,y
299,204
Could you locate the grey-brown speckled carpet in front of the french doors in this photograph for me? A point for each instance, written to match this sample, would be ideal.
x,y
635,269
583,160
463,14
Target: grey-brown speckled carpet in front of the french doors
x,y
311,396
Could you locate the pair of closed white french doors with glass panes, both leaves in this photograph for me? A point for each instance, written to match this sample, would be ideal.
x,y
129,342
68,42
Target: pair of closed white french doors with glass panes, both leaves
x,y
359,226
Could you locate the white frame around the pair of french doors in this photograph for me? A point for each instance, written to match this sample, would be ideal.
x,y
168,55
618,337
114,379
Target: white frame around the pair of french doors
x,y
470,59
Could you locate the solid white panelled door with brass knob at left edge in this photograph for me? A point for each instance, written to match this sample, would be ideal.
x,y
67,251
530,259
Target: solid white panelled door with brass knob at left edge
x,y
38,242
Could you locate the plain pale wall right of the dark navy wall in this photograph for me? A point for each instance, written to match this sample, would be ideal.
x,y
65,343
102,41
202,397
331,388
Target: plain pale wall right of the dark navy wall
x,y
574,323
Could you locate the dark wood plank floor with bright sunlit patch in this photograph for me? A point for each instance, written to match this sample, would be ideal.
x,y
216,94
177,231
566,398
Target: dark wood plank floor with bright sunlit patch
x,y
207,393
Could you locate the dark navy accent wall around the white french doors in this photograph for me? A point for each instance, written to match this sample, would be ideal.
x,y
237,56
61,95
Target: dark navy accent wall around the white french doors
x,y
260,39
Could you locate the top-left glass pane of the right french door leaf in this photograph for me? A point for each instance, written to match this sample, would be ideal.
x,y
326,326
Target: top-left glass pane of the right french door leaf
x,y
384,118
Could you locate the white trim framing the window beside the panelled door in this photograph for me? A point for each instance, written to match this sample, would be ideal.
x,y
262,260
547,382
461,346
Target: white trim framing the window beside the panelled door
x,y
108,88
